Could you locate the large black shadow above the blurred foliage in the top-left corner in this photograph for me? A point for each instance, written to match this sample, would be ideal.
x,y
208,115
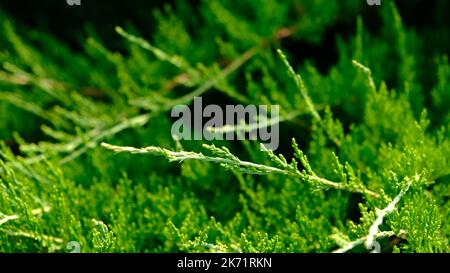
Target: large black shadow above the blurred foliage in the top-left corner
x,y
68,23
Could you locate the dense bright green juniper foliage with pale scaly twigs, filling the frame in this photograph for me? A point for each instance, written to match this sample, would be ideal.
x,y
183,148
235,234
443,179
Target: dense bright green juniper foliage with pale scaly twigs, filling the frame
x,y
365,138
